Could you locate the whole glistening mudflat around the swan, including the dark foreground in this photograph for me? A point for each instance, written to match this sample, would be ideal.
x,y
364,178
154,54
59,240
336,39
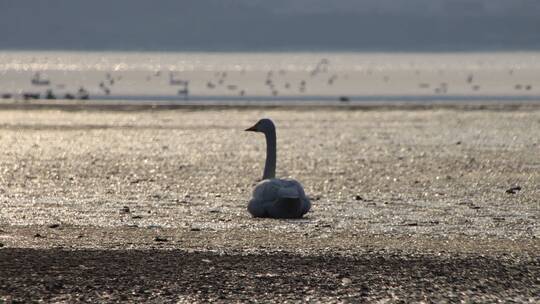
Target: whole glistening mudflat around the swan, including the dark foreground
x,y
408,205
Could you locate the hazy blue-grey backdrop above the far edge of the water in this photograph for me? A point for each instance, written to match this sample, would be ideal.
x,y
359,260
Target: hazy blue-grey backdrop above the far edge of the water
x,y
244,25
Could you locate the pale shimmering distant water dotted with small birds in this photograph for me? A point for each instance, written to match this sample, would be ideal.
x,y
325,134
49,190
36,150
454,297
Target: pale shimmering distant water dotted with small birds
x,y
258,77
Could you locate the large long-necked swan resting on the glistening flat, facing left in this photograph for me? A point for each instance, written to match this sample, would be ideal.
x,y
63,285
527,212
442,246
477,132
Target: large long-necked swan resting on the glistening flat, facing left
x,y
276,198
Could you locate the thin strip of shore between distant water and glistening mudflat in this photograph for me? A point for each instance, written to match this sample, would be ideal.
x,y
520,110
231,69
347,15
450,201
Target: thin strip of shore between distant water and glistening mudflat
x,y
140,105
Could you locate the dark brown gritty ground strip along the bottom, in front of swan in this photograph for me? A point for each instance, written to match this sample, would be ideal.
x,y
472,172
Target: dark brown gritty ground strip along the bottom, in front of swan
x,y
56,275
